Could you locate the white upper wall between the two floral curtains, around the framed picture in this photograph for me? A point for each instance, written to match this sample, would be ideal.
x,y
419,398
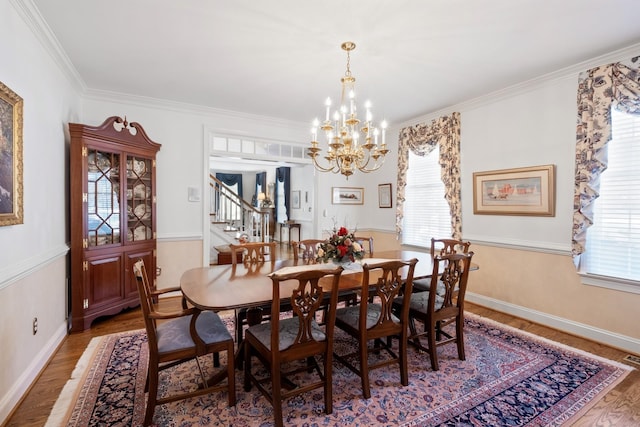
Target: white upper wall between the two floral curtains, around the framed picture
x,y
535,126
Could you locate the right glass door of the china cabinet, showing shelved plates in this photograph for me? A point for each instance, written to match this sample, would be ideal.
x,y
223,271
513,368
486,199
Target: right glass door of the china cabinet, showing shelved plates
x,y
139,199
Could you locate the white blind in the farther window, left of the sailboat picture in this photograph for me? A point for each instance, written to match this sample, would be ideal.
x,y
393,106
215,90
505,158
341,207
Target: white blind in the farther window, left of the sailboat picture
x,y
426,212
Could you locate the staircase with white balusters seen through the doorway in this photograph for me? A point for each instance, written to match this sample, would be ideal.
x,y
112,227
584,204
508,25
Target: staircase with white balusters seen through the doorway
x,y
233,220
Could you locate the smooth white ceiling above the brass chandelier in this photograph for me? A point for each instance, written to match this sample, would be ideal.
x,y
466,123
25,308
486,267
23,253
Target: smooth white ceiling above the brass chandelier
x,y
282,58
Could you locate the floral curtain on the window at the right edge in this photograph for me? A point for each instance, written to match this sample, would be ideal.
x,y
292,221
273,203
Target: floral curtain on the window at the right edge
x,y
609,86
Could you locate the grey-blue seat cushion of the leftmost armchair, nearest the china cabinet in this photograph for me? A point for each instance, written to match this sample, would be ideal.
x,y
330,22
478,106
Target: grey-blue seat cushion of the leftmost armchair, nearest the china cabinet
x,y
174,334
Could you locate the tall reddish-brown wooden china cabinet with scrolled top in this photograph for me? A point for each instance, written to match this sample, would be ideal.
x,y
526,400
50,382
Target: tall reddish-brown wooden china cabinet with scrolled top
x,y
113,216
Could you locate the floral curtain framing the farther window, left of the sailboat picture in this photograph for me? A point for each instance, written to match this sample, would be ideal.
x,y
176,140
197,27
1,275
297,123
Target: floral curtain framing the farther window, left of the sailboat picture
x,y
421,139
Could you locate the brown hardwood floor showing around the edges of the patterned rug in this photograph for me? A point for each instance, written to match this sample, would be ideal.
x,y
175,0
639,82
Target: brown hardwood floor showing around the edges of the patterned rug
x,y
620,407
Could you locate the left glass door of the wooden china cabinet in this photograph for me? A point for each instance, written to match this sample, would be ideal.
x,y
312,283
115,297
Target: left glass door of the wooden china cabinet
x,y
103,200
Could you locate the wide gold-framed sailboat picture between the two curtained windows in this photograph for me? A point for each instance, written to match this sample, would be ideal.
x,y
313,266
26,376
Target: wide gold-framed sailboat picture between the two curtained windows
x,y
521,191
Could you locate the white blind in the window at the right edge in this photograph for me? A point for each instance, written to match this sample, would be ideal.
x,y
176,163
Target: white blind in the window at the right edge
x,y
613,241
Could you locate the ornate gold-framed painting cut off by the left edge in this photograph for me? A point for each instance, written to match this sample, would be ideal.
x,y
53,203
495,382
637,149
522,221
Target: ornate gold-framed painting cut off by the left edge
x,y
10,157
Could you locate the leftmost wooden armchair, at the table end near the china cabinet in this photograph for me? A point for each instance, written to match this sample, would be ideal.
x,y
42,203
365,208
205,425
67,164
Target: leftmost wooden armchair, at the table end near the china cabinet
x,y
179,336
